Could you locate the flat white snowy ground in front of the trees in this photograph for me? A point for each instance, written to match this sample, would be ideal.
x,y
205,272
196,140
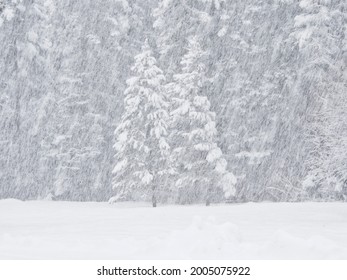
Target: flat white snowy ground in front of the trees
x,y
70,230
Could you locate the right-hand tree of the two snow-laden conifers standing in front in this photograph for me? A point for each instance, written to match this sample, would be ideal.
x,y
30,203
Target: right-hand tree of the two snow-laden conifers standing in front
x,y
198,161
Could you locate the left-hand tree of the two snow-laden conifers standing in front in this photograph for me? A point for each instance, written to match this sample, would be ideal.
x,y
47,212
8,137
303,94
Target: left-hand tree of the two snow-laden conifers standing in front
x,y
142,150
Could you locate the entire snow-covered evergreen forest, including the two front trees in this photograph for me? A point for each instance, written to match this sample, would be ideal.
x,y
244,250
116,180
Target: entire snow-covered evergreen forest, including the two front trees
x,y
173,101
